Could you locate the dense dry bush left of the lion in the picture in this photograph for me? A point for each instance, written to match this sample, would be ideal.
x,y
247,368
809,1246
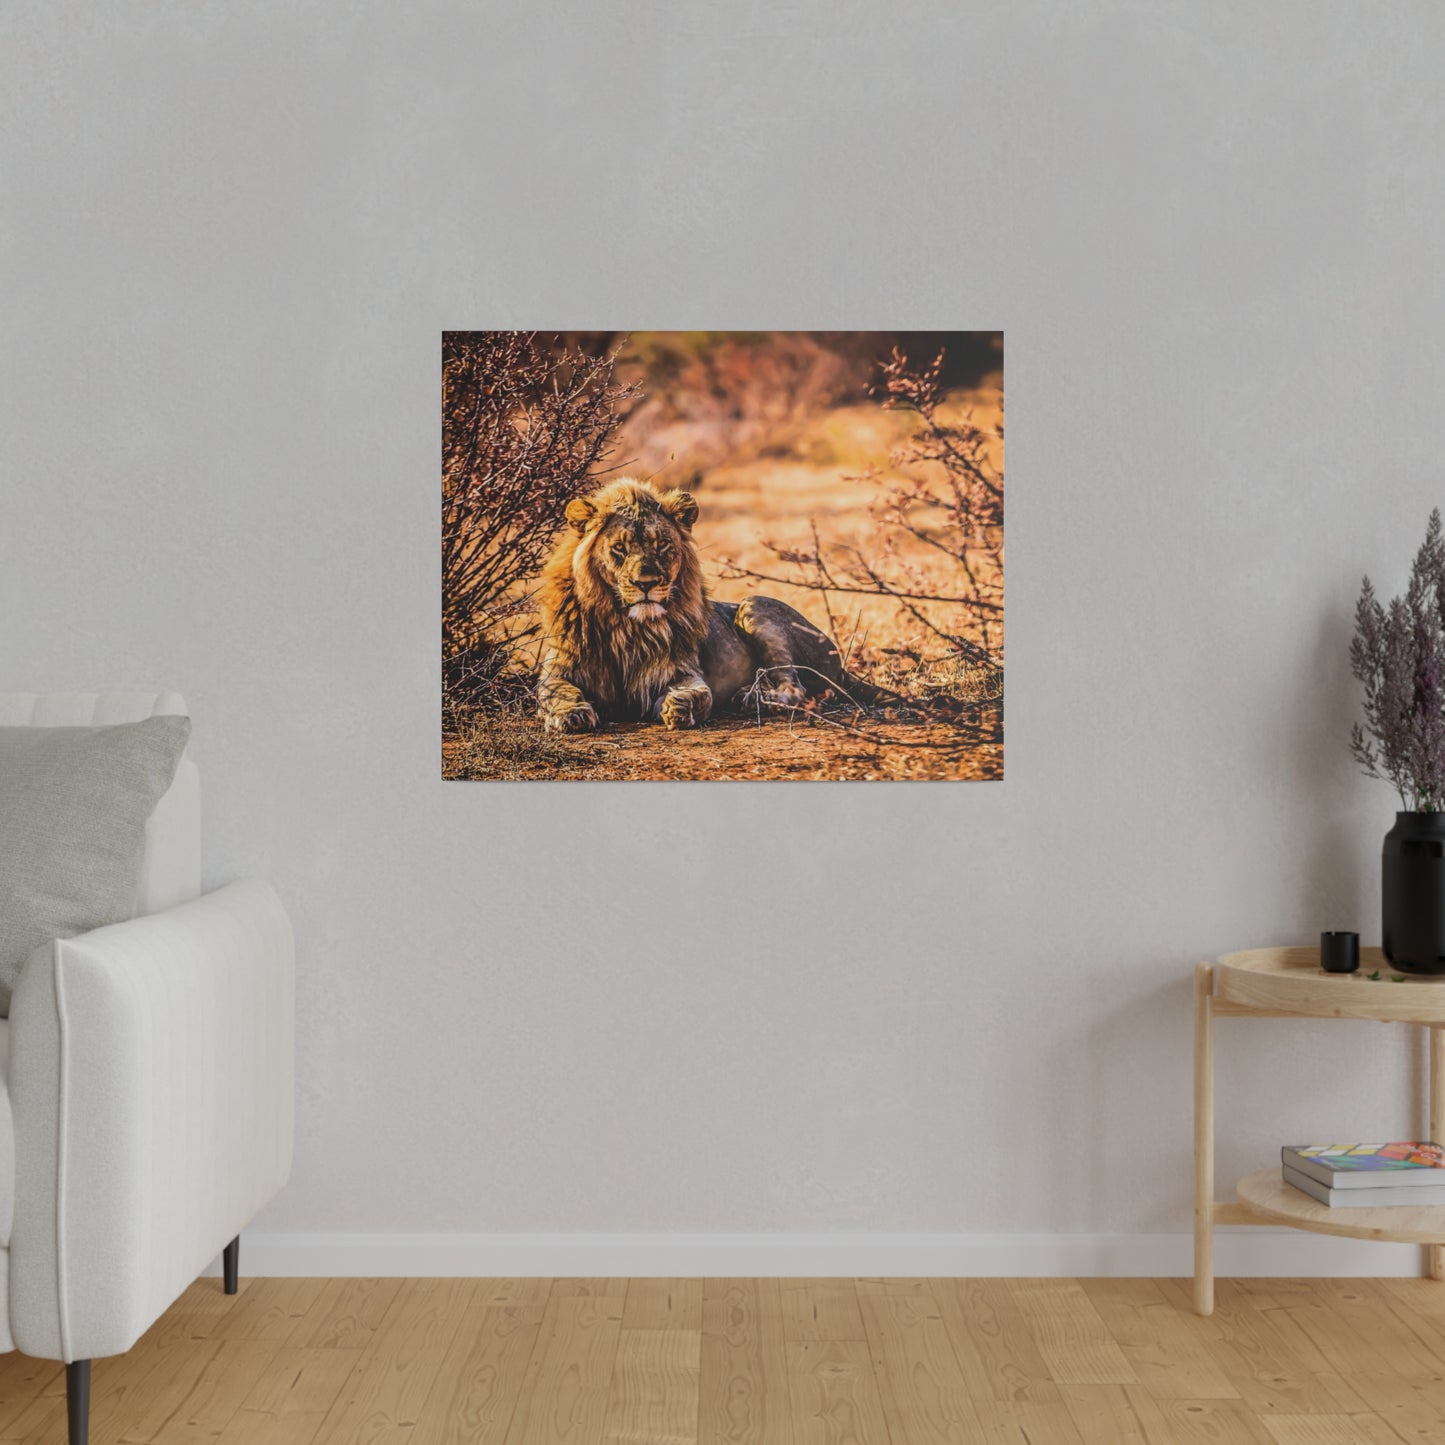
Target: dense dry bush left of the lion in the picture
x,y
527,427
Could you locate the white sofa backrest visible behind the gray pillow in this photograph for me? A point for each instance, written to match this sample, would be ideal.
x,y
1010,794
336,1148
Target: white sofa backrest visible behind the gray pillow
x,y
173,869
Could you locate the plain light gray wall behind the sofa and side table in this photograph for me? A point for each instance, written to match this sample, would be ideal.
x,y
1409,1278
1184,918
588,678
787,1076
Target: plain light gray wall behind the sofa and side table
x,y
1213,235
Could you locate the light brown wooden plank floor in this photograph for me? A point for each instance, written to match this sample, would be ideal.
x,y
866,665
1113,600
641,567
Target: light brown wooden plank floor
x,y
765,1362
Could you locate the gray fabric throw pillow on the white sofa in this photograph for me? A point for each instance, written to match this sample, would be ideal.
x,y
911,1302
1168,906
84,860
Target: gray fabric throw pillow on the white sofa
x,y
74,803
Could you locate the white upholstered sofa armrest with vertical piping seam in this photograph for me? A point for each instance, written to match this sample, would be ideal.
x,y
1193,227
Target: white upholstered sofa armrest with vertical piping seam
x,y
152,1084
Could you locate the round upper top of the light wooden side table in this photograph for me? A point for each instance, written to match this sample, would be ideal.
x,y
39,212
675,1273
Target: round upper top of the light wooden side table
x,y
1290,980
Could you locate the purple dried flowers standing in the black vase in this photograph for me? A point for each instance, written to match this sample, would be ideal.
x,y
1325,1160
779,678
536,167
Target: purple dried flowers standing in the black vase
x,y
1399,655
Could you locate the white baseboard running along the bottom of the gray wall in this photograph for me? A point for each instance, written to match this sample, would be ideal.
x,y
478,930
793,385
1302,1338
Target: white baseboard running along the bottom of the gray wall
x,y
1239,1252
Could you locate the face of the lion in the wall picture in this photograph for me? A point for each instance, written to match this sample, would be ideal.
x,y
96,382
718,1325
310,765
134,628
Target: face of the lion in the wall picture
x,y
635,544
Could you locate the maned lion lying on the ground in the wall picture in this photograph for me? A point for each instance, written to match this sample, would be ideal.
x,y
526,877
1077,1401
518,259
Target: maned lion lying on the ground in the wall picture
x,y
631,632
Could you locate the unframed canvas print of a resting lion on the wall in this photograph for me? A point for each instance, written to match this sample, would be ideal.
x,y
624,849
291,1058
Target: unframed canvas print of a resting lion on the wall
x,y
722,556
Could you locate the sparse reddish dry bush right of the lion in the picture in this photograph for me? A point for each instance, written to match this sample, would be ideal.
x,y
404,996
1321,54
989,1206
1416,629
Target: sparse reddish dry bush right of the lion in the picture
x,y
943,499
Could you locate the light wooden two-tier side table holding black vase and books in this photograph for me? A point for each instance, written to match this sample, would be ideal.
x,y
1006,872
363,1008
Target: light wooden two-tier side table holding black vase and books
x,y
1288,983
